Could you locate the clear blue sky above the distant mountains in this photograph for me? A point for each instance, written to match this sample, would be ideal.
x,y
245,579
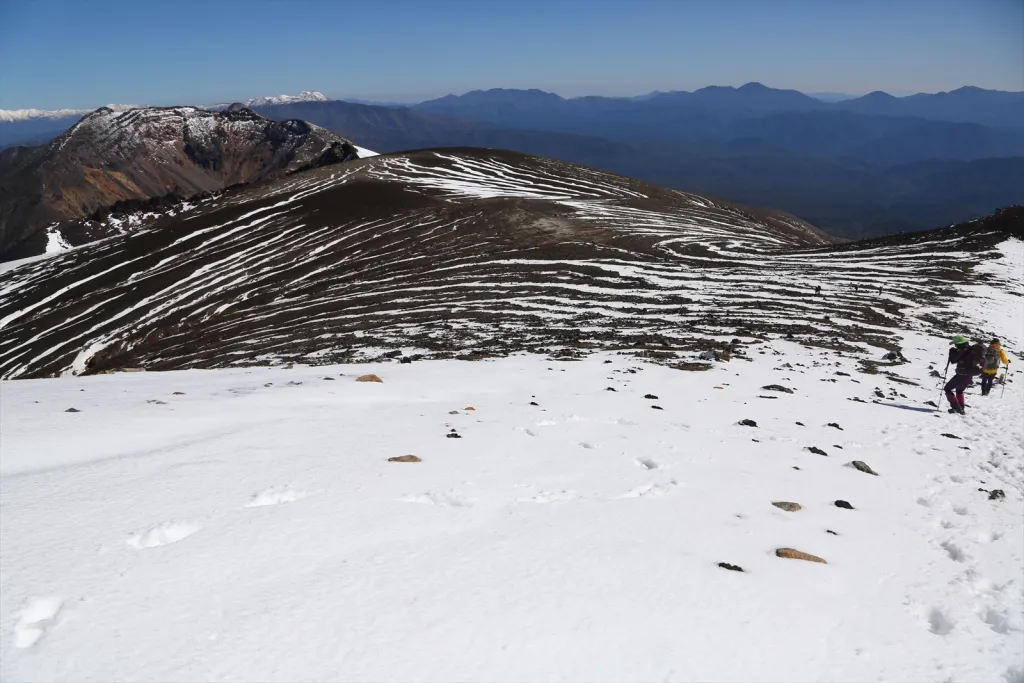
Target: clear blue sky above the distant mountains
x,y
91,53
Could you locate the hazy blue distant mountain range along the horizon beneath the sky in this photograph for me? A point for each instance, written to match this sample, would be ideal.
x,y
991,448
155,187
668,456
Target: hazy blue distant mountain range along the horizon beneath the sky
x,y
857,167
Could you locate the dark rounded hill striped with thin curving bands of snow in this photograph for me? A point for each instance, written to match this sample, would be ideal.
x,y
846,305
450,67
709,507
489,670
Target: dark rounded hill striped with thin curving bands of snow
x,y
464,250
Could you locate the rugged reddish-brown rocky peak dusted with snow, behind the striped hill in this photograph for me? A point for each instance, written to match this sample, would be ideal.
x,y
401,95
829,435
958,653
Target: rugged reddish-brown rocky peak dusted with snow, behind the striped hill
x,y
144,154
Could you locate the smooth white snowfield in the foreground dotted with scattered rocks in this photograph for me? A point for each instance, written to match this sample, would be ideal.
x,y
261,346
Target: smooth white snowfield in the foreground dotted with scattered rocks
x,y
246,525
